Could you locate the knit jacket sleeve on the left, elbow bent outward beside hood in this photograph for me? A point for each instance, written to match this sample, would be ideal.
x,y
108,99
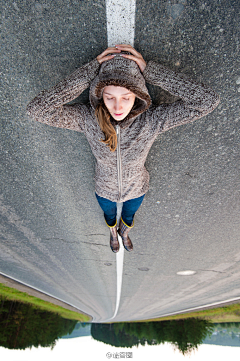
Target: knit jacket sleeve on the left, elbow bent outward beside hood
x,y
50,107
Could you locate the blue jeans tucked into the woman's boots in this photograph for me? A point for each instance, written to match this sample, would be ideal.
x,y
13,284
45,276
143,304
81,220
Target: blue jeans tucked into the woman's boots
x,y
128,211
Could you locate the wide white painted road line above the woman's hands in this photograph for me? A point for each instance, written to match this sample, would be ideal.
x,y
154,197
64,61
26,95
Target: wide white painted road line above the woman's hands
x,y
120,21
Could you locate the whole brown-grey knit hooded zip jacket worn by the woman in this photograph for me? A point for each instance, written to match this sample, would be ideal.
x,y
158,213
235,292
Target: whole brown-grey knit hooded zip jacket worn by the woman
x,y
121,175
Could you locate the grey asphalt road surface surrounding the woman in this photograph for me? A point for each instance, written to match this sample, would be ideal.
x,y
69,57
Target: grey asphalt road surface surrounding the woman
x,y
54,237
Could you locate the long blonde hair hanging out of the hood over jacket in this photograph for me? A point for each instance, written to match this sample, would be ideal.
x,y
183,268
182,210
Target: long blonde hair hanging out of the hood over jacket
x,y
103,117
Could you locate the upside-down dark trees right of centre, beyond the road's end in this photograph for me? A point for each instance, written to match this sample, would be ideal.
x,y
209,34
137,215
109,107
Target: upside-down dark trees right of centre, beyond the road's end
x,y
184,334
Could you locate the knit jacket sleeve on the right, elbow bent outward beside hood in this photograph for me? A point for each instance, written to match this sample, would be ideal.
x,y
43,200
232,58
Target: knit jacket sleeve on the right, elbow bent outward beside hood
x,y
196,100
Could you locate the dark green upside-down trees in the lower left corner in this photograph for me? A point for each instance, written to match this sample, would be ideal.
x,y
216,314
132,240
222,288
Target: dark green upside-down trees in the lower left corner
x,y
22,326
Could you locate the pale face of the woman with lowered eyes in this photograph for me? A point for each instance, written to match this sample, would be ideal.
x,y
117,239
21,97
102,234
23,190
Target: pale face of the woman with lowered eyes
x,y
118,100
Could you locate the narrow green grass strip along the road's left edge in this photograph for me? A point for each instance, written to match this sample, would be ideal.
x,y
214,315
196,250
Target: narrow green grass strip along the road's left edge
x,y
15,295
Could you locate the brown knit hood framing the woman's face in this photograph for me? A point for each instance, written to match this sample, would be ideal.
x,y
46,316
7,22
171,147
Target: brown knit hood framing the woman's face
x,y
122,72
